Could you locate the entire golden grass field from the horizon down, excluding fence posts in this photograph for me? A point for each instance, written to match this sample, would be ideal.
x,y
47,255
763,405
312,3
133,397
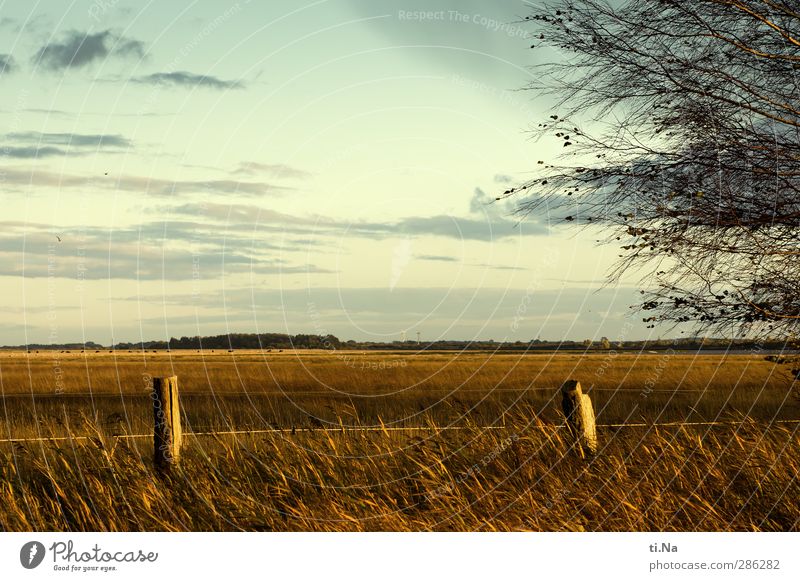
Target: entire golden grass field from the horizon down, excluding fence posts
x,y
399,441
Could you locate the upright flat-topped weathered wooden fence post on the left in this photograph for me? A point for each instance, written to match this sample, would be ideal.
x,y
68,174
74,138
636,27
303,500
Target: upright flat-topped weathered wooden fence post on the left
x,y
167,434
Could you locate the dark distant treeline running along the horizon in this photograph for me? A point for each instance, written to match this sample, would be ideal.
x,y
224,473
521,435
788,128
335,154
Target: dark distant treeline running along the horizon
x,y
332,343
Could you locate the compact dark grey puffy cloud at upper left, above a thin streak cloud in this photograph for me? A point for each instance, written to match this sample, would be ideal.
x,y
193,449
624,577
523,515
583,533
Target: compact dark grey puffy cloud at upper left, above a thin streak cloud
x,y
81,49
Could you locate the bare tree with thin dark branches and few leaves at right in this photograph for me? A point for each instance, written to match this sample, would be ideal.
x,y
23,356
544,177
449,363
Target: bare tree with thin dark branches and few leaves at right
x,y
691,152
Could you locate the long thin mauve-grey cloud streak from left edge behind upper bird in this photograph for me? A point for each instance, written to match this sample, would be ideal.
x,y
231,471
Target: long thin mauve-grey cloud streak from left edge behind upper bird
x,y
26,179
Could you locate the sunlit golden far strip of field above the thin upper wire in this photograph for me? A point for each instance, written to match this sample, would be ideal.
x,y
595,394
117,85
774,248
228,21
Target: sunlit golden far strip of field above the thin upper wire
x,y
382,372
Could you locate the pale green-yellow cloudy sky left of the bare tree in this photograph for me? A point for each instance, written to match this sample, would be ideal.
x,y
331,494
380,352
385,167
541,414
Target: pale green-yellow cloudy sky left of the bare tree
x,y
194,168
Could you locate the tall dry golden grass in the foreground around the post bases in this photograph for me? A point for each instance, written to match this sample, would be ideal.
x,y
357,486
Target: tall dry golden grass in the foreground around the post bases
x,y
519,478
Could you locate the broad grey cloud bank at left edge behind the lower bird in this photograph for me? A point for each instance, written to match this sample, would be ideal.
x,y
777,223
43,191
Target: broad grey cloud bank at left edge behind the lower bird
x,y
179,251
